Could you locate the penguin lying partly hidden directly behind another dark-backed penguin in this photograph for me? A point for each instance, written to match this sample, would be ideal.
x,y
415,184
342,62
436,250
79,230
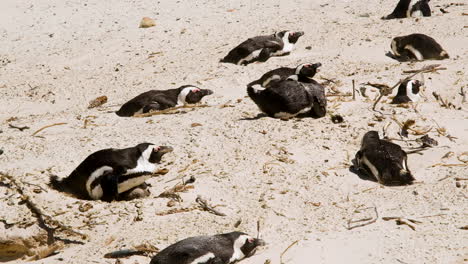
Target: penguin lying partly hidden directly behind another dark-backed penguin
x,y
307,70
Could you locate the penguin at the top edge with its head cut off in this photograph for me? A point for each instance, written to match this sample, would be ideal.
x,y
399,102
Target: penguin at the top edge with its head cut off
x,y
410,8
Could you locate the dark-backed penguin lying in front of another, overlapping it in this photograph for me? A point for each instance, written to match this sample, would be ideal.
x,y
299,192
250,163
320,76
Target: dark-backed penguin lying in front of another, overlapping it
x,y
291,97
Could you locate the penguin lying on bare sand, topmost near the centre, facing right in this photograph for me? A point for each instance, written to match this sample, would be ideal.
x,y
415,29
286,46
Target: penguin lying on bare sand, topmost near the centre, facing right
x,y
261,48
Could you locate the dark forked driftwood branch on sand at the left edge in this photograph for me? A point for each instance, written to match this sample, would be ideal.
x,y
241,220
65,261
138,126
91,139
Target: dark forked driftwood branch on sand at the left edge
x,y
44,221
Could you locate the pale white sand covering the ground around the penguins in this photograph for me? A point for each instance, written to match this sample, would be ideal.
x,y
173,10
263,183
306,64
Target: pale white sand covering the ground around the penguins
x,y
62,54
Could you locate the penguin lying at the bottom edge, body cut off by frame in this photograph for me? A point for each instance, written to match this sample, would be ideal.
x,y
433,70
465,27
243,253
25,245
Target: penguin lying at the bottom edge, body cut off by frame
x,y
217,249
